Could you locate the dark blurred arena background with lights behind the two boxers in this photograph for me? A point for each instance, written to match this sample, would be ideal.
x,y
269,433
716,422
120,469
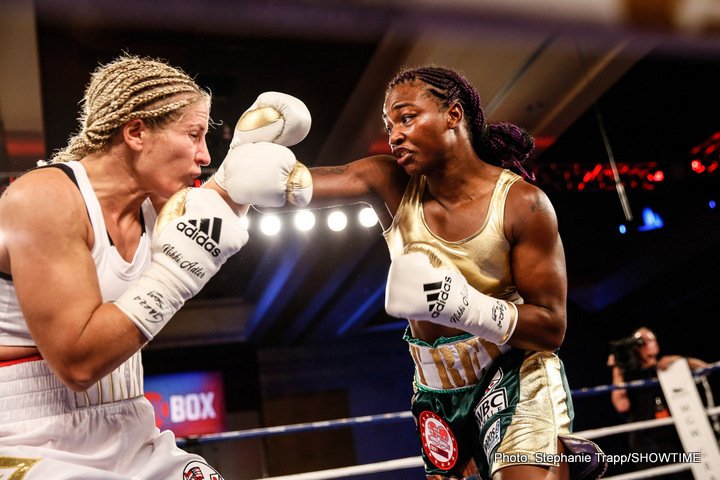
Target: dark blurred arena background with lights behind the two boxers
x,y
621,97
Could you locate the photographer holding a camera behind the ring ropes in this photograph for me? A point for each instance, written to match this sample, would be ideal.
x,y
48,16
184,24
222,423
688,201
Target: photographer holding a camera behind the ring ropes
x,y
636,358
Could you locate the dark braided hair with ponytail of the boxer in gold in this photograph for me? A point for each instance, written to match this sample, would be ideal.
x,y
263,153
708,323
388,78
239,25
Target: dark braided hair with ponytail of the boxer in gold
x,y
500,144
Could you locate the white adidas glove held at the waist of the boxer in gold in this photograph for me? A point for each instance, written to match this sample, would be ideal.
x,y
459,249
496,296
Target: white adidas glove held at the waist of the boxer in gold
x,y
416,290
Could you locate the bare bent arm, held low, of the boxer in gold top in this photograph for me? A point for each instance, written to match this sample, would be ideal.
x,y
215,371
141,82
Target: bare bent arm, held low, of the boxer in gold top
x,y
537,261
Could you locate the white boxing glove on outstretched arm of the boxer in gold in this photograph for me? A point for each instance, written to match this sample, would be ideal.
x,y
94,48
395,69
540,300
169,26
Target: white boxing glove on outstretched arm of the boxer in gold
x,y
264,174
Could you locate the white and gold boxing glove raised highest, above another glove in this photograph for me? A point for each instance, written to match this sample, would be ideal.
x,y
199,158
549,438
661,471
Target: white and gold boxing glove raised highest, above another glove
x,y
274,117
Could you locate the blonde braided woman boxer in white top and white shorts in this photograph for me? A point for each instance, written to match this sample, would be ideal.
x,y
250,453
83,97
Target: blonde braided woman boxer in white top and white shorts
x,y
87,277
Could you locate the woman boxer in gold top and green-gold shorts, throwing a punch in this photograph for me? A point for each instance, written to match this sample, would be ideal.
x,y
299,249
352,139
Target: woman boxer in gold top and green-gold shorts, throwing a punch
x,y
478,269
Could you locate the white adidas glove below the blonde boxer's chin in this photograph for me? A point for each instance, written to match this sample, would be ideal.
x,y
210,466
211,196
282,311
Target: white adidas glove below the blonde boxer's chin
x,y
196,232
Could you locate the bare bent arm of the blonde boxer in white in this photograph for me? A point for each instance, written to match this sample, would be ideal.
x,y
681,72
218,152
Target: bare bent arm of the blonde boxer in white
x,y
46,232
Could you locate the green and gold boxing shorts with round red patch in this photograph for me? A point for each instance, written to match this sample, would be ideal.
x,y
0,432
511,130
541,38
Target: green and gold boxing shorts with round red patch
x,y
514,415
